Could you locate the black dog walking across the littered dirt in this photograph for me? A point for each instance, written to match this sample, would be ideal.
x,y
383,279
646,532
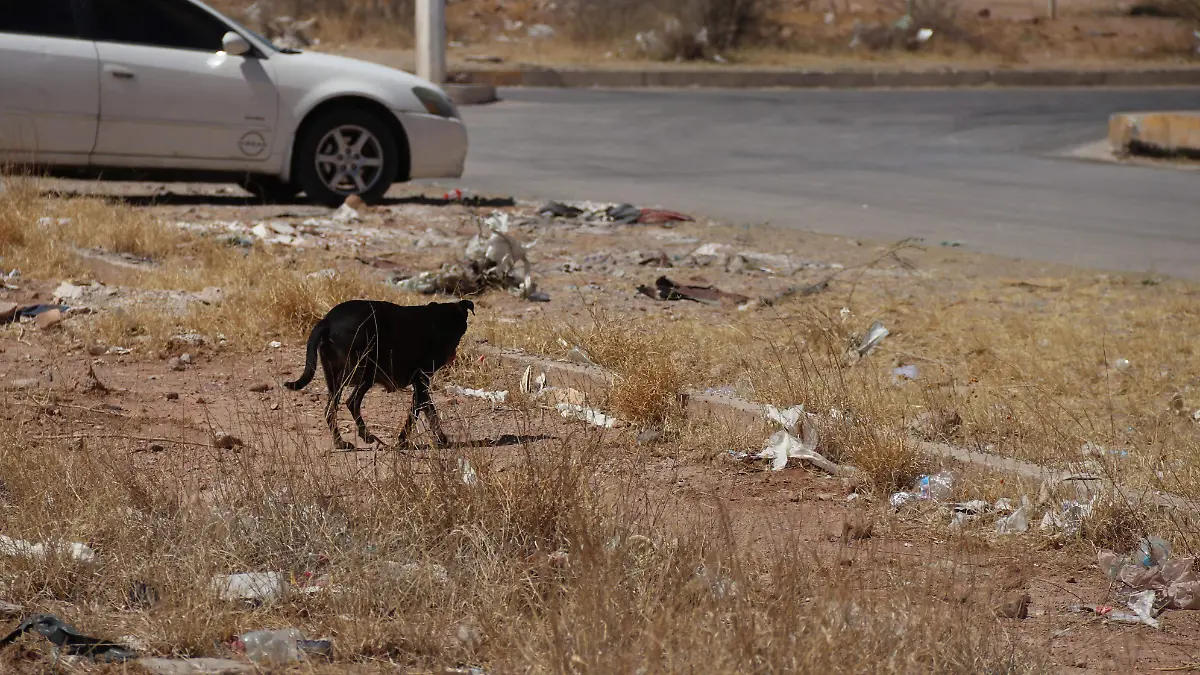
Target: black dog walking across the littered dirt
x,y
369,343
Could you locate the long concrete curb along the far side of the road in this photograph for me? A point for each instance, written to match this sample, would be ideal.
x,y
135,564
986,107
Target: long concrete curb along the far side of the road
x,y
748,79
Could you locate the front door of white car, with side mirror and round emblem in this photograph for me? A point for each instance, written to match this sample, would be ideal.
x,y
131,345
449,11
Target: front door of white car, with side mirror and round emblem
x,y
170,97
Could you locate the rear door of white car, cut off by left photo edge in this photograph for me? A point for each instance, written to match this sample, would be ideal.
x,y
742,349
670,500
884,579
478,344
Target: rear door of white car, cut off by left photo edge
x,y
50,85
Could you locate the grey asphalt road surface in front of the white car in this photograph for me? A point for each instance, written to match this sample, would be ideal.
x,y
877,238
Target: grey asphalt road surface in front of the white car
x,y
982,168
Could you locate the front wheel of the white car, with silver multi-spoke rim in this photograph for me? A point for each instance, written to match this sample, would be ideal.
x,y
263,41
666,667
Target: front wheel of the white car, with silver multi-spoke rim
x,y
346,152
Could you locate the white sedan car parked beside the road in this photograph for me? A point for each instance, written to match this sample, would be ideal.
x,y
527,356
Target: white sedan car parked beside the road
x,y
175,89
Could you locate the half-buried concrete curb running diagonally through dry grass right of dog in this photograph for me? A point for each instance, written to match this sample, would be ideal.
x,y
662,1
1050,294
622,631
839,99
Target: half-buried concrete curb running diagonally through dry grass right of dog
x,y
733,411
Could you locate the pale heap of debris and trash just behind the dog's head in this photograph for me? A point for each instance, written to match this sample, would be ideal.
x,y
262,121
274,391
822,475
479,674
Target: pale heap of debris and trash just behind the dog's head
x,y
490,262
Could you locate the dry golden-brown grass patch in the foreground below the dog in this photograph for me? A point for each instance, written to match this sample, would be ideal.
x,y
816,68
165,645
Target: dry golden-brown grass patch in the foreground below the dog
x,y
481,586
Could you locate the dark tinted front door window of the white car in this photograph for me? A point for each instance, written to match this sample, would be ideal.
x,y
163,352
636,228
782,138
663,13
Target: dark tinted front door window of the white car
x,y
176,25
